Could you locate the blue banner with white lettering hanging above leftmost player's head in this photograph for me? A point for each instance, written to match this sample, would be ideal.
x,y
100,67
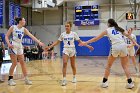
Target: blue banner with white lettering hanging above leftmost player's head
x,y
14,11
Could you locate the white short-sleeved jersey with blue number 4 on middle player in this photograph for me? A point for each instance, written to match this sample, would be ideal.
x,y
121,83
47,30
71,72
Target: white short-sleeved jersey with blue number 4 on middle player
x,y
68,39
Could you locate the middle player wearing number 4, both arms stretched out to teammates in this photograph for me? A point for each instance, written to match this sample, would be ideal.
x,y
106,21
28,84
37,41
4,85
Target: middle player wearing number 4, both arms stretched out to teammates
x,y
69,50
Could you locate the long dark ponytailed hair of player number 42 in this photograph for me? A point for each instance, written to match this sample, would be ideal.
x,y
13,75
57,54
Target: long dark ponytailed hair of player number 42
x,y
112,23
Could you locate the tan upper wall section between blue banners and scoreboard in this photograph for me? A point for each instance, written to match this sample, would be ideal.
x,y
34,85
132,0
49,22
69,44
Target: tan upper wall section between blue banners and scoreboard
x,y
48,17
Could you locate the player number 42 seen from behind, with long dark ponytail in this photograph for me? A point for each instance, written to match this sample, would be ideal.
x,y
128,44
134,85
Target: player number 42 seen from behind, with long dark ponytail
x,y
119,48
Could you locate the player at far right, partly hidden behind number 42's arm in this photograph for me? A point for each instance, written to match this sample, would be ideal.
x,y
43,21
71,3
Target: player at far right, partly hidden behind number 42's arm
x,y
130,47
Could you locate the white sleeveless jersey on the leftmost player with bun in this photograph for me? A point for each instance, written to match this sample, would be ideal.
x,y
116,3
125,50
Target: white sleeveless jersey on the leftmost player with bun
x,y
17,34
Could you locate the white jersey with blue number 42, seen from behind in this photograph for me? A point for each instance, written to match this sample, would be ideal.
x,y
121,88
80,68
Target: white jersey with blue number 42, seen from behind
x,y
114,35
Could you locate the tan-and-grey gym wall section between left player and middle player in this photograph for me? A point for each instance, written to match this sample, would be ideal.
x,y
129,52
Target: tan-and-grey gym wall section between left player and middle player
x,y
47,25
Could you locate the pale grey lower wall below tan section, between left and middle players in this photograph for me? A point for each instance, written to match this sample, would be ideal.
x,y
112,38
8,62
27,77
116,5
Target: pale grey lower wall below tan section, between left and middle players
x,y
47,33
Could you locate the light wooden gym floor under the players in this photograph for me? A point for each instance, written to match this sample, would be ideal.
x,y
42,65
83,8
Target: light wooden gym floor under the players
x,y
46,76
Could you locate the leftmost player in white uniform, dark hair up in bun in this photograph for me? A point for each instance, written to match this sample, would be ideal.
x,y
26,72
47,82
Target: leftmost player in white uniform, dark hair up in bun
x,y
16,48
